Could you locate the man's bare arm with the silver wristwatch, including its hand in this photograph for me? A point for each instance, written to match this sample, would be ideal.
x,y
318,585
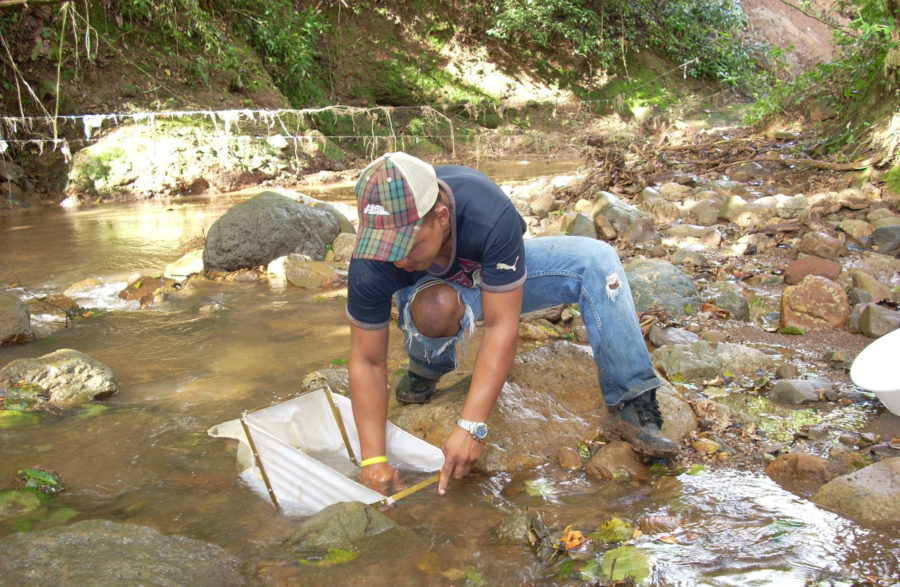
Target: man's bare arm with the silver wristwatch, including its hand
x,y
501,312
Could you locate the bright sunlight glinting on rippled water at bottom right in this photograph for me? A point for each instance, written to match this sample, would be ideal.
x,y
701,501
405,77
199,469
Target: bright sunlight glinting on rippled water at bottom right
x,y
745,530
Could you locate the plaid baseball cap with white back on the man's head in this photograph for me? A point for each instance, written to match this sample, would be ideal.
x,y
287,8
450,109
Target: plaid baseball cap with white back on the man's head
x,y
393,195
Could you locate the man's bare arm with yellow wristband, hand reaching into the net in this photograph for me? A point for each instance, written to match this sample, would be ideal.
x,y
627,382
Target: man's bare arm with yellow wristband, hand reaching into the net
x,y
369,395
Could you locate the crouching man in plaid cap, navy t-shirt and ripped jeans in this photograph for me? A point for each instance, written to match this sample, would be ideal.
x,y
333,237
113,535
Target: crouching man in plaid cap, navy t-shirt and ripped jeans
x,y
447,244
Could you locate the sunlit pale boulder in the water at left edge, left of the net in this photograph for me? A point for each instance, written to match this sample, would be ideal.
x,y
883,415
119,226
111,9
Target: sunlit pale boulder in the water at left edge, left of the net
x,y
63,378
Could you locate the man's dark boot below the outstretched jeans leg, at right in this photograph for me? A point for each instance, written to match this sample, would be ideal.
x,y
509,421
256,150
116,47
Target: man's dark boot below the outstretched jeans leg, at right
x,y
639,421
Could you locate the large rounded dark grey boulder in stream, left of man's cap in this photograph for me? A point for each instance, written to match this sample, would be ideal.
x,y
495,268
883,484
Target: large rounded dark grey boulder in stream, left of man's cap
x,y
266,227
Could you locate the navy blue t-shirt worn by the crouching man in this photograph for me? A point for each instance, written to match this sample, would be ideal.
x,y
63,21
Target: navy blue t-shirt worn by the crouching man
x,y
487,249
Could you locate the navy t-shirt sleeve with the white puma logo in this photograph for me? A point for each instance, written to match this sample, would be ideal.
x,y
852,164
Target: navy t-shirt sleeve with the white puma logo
x,y
503,261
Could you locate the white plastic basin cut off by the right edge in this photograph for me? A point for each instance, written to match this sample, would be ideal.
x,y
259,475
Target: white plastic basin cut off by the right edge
x,y
877,369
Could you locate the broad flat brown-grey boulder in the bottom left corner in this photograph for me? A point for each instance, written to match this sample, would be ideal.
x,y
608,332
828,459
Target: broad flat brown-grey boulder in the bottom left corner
x,y
100,552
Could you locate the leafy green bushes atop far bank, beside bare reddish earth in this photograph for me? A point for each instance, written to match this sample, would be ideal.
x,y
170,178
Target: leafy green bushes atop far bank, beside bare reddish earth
x,y
707,38
